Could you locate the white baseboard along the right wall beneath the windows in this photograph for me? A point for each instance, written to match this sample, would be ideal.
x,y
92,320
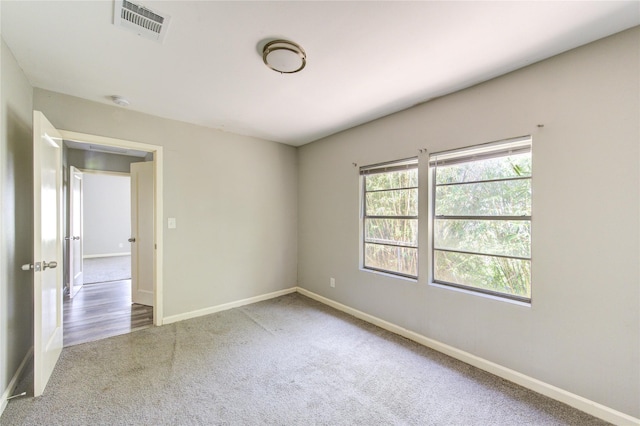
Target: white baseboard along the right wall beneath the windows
x,y
583,404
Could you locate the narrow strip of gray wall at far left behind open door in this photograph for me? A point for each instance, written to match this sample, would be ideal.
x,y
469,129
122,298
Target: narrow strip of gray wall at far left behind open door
x,y
16,186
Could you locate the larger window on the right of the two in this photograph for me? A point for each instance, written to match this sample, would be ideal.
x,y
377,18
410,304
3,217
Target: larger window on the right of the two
x,y
482,218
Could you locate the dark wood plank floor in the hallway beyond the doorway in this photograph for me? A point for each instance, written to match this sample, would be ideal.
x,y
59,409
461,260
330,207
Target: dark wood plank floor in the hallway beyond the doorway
x,y
103,310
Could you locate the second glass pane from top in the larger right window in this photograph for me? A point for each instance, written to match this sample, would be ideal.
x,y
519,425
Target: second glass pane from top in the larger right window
x,y
504,198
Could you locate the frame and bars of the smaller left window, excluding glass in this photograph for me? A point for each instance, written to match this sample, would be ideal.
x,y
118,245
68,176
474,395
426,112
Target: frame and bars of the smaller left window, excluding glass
x,y
387,167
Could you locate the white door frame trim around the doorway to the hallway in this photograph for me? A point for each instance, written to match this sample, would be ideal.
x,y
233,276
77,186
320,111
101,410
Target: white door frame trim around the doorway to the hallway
x,y
158,158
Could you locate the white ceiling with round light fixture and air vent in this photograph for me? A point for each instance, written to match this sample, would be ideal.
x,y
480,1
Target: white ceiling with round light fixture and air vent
x,y
364,59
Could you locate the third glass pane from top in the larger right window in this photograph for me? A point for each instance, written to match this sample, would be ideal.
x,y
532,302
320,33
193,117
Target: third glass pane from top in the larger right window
x,y
507,238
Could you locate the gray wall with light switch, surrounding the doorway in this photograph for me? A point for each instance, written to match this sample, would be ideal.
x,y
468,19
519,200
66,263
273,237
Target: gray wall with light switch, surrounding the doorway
x,y
234,198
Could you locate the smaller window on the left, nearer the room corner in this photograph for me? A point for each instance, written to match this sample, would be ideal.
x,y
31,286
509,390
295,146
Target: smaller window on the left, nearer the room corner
x,y
390,217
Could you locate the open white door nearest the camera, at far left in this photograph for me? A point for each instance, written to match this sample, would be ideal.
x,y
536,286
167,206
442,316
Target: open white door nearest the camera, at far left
x,y
47,250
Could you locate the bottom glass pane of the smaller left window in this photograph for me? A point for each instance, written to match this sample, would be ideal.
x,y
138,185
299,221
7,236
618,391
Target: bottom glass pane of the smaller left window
x,y
403,260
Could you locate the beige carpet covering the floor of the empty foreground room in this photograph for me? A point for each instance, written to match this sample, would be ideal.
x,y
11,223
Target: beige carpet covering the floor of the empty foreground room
x,y
286,361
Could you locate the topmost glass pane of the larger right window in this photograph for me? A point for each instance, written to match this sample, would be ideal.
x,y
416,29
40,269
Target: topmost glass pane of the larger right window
x,y
493,168
